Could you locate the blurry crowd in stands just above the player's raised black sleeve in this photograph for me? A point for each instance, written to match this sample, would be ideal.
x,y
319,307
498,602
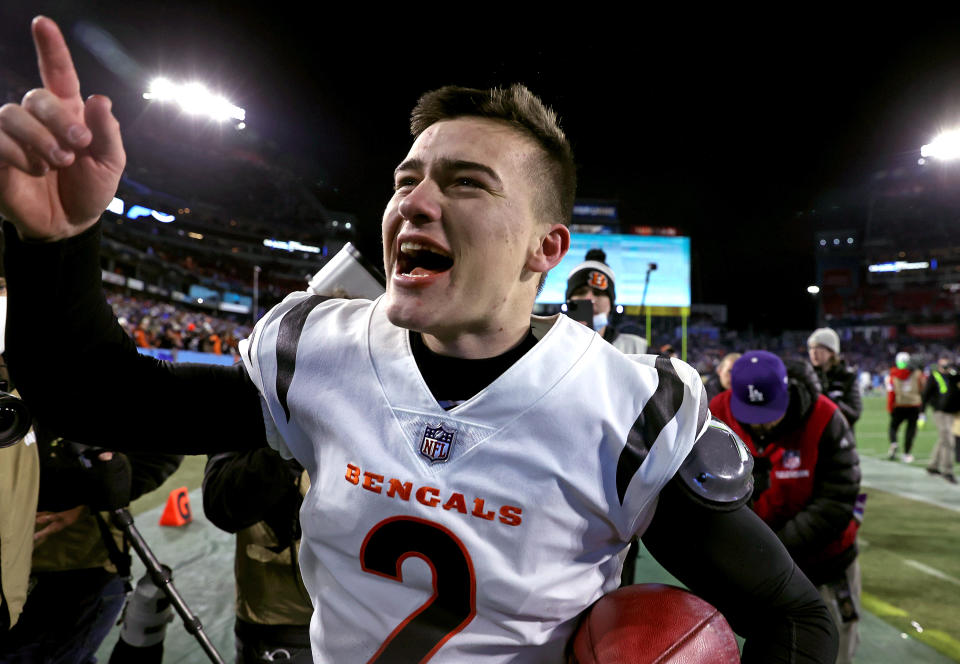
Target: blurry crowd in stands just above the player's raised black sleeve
x,y
154,324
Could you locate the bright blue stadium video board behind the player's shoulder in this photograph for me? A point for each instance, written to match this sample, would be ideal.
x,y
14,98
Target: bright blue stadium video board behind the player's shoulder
x,y
629,256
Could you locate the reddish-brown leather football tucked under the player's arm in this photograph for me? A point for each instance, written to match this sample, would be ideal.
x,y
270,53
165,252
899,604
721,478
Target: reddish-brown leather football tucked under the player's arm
x,y
654,624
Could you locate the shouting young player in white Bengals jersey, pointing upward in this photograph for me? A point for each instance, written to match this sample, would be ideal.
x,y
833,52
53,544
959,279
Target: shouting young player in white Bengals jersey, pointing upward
x,y
508,460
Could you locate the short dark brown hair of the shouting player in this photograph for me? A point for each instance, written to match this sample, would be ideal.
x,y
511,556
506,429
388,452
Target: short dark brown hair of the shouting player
x,y
522,110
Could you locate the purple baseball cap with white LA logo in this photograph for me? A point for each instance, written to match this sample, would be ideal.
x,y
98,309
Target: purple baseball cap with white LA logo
x,y
759,392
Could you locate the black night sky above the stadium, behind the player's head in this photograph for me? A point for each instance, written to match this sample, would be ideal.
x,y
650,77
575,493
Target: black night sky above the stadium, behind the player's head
x,y
731,128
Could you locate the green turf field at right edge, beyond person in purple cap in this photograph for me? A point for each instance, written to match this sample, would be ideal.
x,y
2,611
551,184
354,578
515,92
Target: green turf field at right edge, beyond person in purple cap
x,y
909,549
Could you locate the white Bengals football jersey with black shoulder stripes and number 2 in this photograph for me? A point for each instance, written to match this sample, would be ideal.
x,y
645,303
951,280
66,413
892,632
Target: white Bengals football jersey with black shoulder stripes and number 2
x,y
481,532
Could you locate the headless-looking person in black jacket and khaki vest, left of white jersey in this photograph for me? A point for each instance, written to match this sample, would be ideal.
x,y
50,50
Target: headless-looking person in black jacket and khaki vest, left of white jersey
x,y
257,495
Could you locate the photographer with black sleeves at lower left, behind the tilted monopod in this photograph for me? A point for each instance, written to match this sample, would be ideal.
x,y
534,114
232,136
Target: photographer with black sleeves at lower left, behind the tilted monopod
x,y
79,562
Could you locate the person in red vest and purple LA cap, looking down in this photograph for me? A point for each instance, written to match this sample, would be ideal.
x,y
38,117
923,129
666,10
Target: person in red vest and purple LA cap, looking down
x,y
806,477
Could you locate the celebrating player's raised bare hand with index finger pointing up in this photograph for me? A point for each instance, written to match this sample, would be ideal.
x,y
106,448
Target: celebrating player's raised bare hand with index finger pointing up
x,y
60,157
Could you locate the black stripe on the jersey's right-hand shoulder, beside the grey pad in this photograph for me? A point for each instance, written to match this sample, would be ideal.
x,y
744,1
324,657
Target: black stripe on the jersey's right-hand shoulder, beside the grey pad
x,y
659,410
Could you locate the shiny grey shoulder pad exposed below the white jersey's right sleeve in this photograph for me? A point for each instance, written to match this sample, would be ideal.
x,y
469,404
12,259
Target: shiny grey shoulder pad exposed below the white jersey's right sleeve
x,y
718,472
